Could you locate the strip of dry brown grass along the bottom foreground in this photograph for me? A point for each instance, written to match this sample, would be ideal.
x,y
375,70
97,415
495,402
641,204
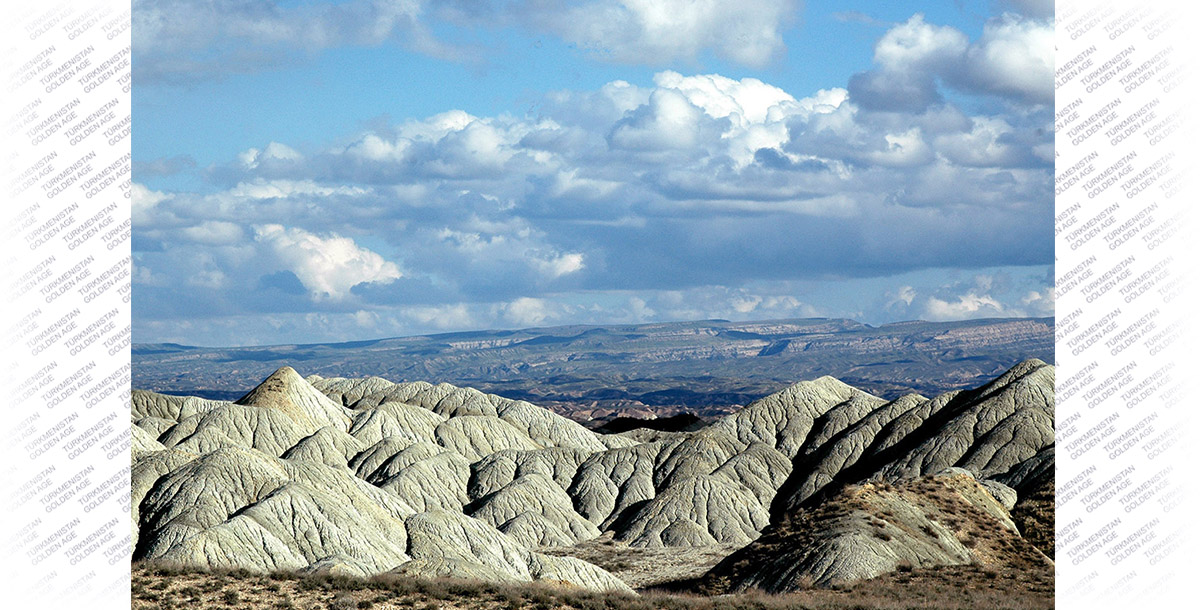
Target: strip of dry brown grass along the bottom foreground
x,y
158,588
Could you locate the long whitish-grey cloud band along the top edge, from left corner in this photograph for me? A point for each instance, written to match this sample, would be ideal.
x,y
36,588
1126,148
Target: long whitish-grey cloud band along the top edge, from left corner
x,y
185,40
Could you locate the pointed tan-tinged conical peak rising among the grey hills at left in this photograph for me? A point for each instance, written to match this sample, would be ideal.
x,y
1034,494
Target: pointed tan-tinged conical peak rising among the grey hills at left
x,y
285,391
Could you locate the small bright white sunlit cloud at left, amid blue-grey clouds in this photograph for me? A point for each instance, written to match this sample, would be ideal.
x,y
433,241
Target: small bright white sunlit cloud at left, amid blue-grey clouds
x,y
327,266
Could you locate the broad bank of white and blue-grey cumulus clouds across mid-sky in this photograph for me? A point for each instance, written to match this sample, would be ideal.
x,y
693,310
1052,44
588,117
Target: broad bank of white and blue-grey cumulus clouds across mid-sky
x,y
697,181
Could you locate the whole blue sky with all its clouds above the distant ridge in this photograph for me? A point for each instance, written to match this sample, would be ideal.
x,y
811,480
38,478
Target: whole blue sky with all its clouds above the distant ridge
x,y
338,171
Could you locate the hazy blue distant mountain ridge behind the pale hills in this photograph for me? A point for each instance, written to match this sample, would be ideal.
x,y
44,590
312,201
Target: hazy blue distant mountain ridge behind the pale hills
x,y
639,370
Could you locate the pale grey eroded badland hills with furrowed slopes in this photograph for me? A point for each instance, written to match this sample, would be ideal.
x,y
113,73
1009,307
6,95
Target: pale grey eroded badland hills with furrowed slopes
x,y
818,485
